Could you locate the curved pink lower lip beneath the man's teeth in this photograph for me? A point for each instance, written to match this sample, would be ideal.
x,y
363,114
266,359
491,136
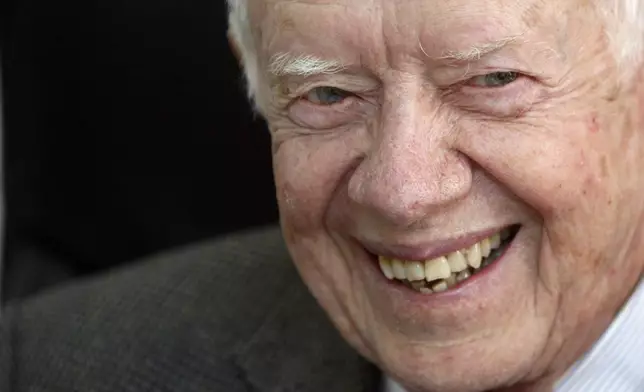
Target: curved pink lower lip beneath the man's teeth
x,y
464,288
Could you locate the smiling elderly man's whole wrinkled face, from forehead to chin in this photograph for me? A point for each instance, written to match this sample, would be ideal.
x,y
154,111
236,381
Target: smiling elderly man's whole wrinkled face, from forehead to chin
x,y
458,180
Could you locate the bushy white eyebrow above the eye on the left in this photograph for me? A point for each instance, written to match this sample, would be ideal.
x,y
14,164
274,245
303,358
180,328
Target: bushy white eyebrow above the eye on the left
x,y
285,64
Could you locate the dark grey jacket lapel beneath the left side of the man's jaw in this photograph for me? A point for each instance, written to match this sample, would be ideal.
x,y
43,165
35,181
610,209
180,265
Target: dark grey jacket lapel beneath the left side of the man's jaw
x,y
298,349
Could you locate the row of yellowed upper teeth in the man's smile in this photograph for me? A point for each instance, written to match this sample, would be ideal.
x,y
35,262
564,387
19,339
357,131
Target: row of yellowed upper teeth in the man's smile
x,y
441,267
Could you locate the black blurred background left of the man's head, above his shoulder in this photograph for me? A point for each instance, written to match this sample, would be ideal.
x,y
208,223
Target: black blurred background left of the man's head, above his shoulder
x,y
127,132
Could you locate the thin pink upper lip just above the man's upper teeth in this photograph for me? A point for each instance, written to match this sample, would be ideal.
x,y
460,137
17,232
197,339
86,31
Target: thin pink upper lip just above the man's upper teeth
x,y
429,250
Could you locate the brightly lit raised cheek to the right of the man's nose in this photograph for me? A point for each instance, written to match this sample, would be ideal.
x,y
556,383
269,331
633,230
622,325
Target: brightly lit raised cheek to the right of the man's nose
x,y
557,165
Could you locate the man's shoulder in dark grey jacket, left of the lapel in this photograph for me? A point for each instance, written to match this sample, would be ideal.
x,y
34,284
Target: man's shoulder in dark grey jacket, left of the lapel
x,y
164,320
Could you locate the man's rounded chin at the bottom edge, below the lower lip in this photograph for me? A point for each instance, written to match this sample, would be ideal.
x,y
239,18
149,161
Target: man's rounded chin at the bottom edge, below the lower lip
x,y
493,363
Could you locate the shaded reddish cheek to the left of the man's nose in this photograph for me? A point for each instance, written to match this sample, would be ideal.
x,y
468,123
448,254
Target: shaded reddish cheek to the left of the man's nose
x,y
308,172
